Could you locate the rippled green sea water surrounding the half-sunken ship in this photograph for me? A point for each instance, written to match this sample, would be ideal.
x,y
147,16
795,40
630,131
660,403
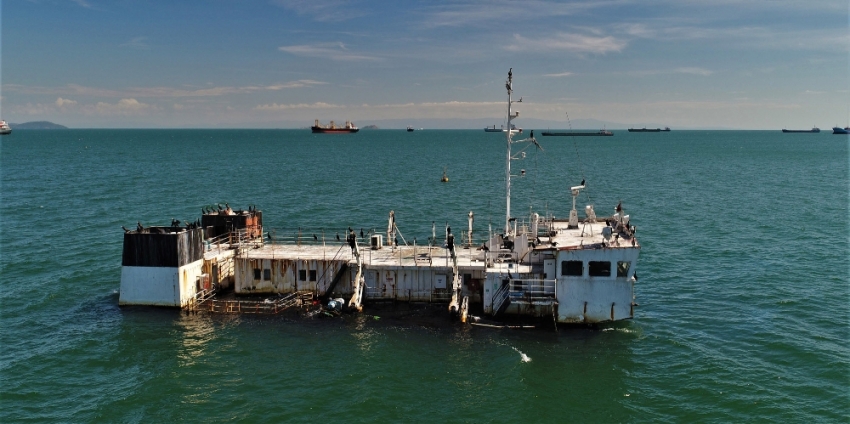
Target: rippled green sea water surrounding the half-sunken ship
x,y
744,284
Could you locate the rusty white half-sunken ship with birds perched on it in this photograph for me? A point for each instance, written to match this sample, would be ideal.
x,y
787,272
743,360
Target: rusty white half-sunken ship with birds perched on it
x,y
575,270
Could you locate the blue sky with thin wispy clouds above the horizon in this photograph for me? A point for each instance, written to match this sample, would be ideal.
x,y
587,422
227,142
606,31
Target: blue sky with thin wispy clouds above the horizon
x,y
752,64
